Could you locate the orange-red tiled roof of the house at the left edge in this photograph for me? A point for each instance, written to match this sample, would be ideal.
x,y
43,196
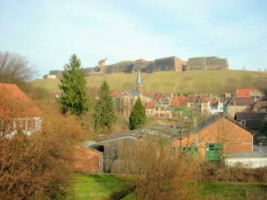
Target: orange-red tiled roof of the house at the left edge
x,y
14,103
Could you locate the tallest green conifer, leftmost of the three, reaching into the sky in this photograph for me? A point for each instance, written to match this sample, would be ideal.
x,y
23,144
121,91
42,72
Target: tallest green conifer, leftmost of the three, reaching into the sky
x,y
73,98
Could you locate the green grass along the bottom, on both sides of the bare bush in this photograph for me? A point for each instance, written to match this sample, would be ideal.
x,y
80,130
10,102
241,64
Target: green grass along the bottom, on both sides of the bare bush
x,y
102,186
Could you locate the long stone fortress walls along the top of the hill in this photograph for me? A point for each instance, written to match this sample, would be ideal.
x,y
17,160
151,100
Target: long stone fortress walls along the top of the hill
x,y
162,64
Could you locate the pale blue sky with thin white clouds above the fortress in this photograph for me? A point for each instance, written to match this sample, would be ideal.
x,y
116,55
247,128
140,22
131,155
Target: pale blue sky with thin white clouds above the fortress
x,y
48,32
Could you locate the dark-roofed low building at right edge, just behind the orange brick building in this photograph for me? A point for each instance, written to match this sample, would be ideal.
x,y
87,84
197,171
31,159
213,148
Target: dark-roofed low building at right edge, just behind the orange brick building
x,y
250,120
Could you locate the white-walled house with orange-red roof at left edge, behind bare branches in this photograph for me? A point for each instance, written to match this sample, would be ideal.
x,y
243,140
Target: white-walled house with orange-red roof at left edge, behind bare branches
x,y
17,111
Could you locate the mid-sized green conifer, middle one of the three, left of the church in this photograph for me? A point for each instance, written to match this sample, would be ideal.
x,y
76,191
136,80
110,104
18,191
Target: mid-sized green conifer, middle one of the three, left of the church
x,y
104,114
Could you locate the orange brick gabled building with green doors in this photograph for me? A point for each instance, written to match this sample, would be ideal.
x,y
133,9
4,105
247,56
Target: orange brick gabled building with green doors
x,y
211,140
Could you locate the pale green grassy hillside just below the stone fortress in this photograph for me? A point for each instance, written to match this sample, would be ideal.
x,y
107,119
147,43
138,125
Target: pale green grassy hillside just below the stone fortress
x,y
175,82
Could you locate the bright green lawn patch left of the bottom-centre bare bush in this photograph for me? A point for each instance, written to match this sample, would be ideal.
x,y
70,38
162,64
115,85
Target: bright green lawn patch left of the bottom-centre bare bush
x,y
97,187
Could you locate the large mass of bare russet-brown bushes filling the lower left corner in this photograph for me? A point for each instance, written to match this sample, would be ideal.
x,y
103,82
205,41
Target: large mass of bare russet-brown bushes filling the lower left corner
x,y
38,166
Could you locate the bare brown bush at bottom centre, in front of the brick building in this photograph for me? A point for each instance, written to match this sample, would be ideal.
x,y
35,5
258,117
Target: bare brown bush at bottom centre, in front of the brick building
x,y
159,173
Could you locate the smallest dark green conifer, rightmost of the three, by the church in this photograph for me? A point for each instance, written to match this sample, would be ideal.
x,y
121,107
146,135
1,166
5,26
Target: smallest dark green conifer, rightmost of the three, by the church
x,y
137,117
